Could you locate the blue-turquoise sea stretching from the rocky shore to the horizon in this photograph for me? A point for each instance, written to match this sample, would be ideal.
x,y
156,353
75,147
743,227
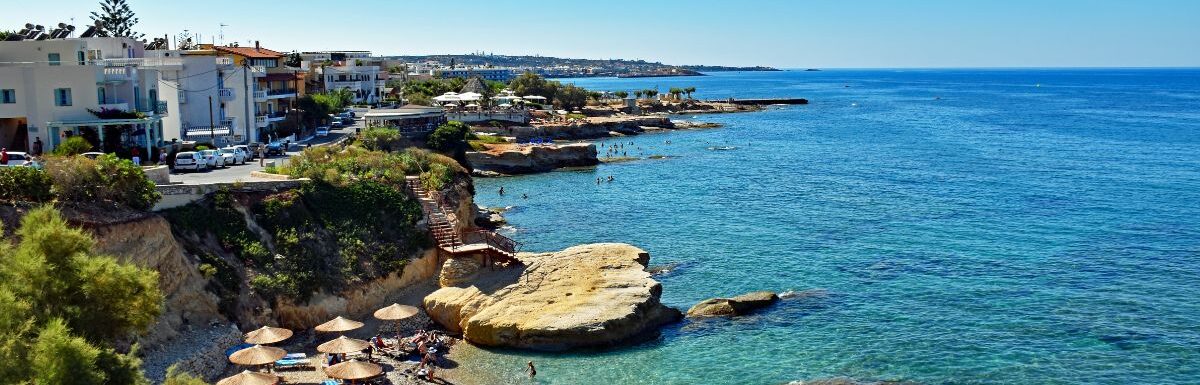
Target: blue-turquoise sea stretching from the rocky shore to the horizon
x,y
958,227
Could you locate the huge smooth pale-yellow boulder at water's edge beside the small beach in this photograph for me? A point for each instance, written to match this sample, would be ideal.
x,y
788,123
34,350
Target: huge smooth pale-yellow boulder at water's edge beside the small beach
x,y
583,297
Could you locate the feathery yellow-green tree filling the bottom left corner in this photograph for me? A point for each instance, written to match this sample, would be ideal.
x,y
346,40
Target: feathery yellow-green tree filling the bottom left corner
x,y
63,306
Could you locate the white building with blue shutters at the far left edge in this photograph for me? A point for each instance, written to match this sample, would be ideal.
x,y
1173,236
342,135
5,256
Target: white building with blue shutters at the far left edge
x,y
47,88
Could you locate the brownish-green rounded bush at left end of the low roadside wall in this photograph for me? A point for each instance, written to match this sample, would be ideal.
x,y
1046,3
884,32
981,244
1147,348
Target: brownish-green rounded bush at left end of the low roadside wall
x,y
104,179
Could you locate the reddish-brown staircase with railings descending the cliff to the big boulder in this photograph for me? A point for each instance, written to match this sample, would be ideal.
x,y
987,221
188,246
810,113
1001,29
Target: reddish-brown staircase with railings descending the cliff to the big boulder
x,y
443,227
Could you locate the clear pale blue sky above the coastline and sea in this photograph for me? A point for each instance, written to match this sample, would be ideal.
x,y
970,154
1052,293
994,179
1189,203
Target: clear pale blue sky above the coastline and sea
x,y
862,34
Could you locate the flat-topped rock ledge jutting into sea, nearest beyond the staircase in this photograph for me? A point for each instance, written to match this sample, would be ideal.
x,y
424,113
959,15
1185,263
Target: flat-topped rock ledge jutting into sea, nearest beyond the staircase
x,y
526,160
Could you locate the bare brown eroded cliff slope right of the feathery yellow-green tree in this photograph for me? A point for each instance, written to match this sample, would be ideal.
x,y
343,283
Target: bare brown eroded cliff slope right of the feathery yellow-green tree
x,y
149,243
